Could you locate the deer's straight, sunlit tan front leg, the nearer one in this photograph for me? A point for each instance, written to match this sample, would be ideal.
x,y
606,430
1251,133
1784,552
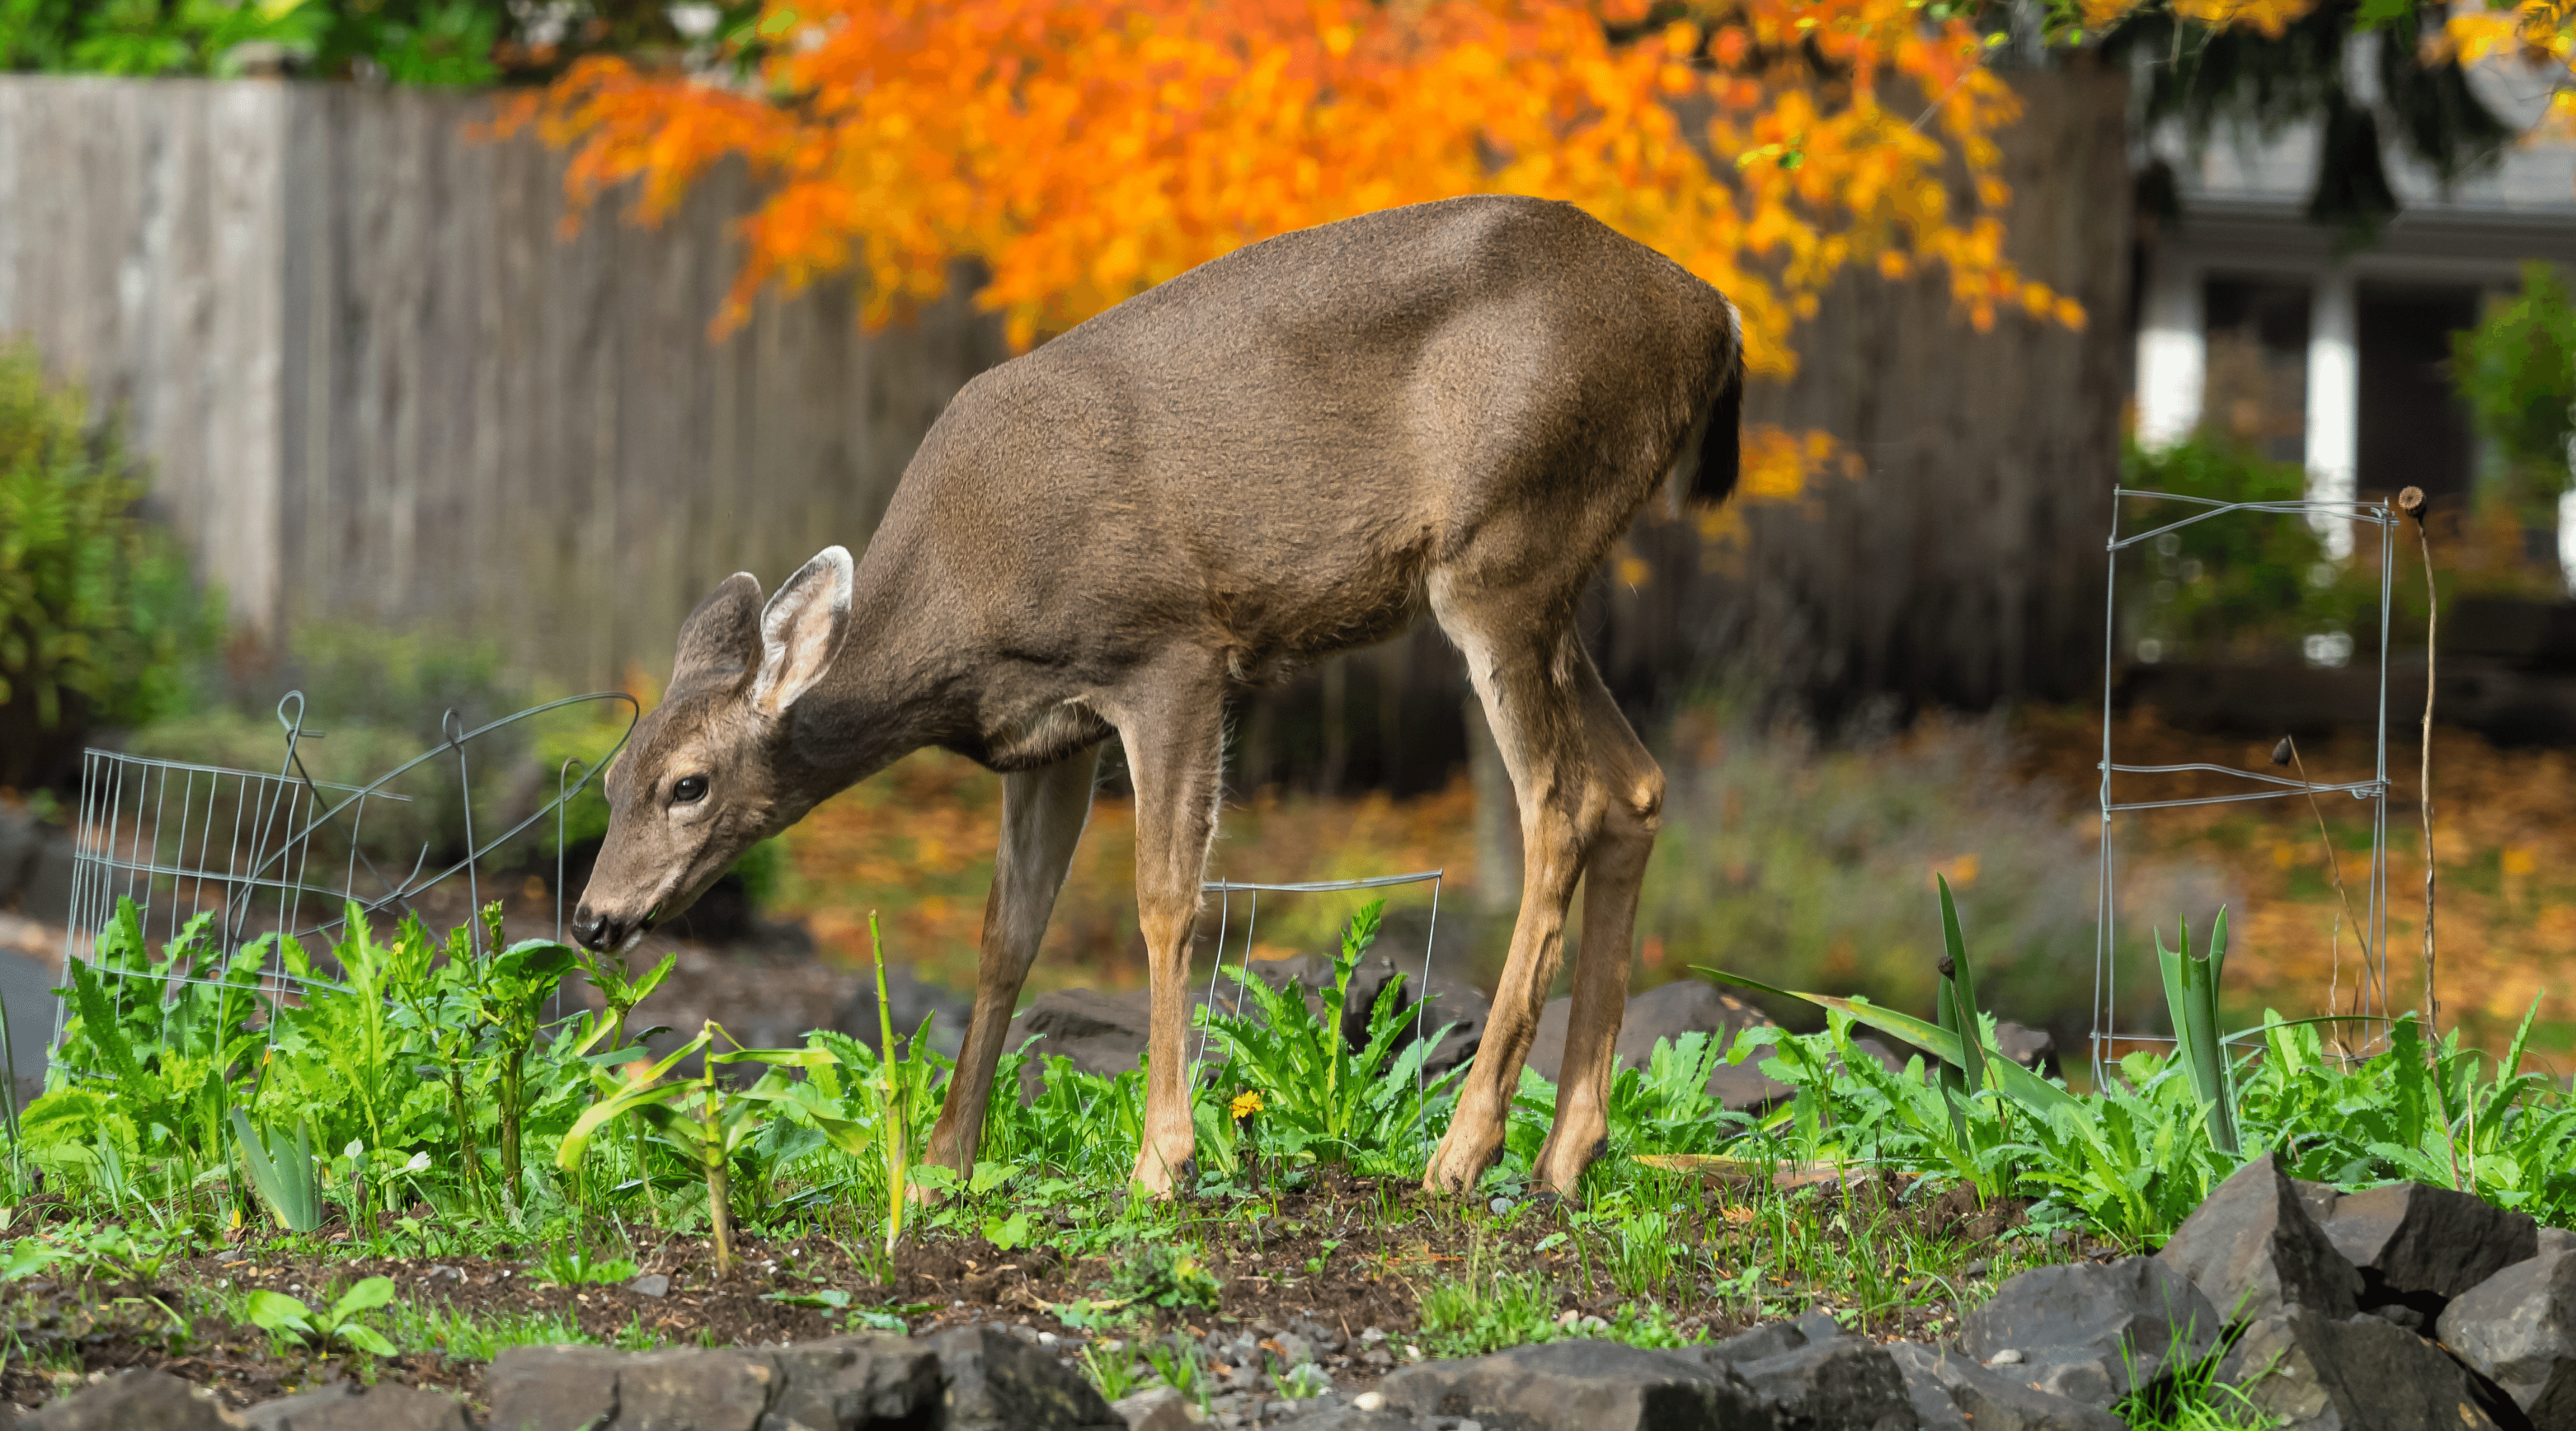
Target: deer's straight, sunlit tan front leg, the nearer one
x,y
1173,745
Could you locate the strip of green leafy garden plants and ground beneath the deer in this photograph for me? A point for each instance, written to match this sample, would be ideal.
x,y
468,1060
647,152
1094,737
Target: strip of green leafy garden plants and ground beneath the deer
x,y
323,1183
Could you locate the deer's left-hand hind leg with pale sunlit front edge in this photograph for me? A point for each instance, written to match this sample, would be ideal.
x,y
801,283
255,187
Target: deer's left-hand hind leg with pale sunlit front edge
x,y
1534,681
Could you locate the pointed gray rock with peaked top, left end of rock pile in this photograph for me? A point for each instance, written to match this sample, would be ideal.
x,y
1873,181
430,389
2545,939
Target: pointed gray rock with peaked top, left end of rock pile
x,y
2255,1250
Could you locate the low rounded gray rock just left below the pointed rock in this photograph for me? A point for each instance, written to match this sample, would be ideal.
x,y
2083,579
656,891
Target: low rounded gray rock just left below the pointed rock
x,y
2096,1332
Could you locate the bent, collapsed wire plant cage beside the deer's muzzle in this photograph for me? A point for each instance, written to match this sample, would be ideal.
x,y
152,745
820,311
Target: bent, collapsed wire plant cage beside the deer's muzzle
x,y
256,858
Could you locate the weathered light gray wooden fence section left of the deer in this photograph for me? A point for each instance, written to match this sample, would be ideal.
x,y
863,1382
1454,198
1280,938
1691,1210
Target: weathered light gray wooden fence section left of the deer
x,y
380,385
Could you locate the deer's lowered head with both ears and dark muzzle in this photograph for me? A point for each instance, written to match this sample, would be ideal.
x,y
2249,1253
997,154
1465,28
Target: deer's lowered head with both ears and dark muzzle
x,y
710,773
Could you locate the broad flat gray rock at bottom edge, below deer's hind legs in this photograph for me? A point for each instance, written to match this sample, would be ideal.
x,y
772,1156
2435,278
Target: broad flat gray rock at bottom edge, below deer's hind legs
x,y
1580,1386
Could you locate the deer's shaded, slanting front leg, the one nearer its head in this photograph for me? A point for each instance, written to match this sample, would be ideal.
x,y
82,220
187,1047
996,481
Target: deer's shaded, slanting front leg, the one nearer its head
x,y
1042,822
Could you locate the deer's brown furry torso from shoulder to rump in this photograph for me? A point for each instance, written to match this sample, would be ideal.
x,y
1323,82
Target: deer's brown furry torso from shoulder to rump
x,y
1276,449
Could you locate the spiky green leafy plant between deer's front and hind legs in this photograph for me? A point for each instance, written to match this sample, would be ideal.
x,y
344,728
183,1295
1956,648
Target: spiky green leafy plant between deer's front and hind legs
x,y
1318,1098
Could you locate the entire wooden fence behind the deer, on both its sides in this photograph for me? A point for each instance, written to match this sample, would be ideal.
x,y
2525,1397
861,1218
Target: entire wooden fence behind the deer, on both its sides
x,y
377,382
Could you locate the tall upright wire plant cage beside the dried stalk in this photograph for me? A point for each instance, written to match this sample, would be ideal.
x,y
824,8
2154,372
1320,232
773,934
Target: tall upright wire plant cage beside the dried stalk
x,y
2139,789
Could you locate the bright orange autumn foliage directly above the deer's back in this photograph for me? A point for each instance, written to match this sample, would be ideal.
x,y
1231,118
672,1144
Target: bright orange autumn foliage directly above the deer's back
x,y
1086,151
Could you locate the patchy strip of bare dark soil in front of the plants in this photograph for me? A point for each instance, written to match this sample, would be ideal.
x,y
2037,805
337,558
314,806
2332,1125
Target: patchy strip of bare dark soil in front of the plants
x,y
1382,1247
